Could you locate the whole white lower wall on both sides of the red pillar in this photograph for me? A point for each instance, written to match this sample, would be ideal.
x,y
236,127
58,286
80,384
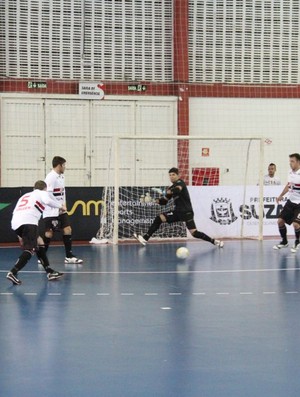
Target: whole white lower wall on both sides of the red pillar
x,y
34,128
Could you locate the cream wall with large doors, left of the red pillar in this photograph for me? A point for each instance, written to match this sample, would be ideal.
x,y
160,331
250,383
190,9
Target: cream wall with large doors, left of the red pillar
x,y
36,128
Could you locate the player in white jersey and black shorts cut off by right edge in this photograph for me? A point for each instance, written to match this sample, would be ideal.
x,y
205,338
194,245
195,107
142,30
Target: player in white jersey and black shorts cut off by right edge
x,y
290,213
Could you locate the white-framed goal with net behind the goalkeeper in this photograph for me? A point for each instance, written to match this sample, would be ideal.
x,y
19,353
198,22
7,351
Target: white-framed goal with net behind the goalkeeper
x,y
224,178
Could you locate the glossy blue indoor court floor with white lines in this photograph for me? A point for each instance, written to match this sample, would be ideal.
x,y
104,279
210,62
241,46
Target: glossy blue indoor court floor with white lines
x,y
136,321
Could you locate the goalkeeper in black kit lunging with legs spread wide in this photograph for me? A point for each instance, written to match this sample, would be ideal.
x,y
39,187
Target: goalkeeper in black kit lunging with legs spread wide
x,y
183,211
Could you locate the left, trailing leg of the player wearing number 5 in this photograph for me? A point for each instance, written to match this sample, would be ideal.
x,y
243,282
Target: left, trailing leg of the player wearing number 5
x,y
27,234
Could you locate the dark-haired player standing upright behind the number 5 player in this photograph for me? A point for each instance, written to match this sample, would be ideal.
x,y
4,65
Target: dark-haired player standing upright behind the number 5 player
x,y
54,220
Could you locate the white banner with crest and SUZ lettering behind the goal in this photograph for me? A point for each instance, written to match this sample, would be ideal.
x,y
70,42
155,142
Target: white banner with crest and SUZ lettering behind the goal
x,y
219,210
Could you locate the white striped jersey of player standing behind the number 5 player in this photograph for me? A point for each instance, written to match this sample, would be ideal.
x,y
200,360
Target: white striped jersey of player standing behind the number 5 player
x,y
56,188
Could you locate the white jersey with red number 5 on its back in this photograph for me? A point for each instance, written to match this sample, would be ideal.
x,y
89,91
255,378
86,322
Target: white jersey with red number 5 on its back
x,y
30,208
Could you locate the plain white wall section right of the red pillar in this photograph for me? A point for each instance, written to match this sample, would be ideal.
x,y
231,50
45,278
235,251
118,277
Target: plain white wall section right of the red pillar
x,y
275,119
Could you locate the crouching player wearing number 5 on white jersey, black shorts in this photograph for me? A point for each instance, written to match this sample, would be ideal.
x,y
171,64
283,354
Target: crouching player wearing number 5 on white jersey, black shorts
x,y
26,216
